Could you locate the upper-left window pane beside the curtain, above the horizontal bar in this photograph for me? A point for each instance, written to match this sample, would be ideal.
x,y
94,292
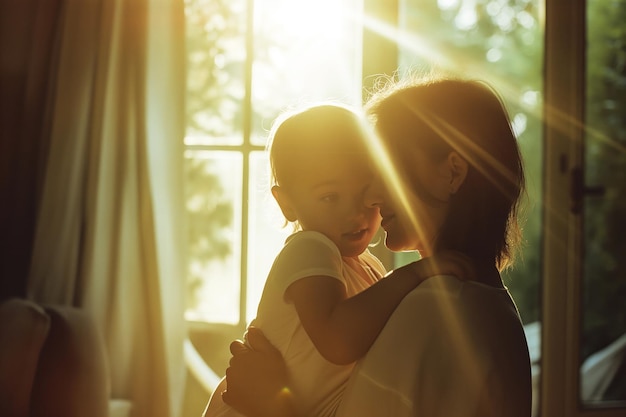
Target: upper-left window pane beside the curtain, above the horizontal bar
x,y
216,57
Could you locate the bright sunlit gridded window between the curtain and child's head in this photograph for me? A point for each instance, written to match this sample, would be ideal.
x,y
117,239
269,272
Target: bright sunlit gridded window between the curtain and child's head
x,y
248,60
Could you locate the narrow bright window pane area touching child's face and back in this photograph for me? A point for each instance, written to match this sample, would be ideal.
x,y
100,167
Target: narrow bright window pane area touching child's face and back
x,y
266,230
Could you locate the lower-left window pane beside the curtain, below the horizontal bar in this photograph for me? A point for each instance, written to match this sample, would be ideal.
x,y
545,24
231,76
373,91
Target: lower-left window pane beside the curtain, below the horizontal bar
x,y
213,193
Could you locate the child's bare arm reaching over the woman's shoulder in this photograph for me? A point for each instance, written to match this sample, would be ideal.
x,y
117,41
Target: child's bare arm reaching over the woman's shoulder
x,y
343,329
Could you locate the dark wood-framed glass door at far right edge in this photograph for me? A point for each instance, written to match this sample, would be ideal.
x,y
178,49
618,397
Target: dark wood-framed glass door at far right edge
x,y
585,285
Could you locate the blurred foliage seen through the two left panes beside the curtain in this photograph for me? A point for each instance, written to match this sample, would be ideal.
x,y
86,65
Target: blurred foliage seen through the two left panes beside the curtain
x,y
212,93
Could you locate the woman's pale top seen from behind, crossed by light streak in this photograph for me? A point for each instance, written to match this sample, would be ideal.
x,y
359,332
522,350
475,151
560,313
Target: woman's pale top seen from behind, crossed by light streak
x,y
450,349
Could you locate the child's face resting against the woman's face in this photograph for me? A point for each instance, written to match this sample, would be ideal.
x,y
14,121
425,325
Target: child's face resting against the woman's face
x,y
327,195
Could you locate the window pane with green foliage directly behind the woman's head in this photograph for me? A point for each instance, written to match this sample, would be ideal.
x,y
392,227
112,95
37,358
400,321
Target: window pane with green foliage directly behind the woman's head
x,y
500,42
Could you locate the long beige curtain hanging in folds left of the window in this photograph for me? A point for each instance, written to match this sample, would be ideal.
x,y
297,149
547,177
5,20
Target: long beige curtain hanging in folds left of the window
x,y
109,234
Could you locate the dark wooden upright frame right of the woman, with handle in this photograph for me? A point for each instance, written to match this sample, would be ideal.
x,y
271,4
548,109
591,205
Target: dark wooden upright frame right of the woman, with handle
x,y
564,101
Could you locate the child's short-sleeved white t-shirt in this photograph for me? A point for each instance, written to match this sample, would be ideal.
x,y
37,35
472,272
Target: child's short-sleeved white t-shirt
x,y
315,381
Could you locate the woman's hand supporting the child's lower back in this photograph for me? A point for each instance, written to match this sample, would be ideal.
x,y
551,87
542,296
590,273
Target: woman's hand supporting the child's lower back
x,y
257,380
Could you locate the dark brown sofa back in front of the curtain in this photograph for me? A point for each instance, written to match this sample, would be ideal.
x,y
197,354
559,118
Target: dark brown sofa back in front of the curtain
x,y
52,363
